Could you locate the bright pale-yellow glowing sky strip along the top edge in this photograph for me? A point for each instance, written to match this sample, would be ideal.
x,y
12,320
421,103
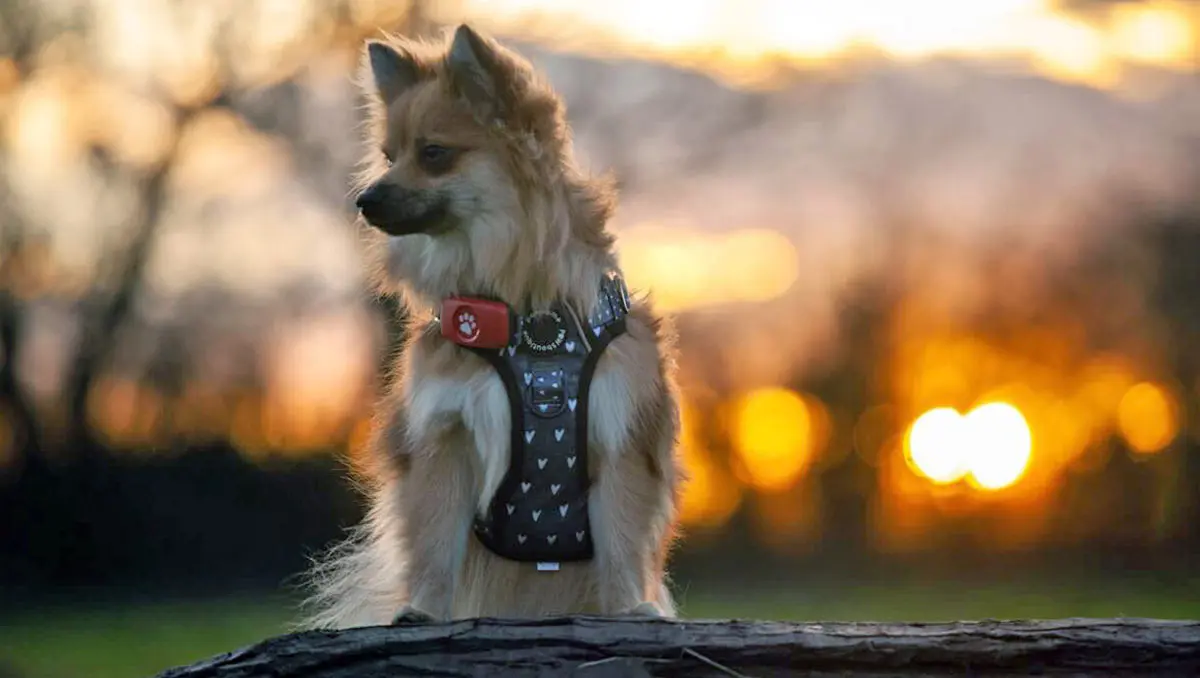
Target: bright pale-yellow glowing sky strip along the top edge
x,y
730,35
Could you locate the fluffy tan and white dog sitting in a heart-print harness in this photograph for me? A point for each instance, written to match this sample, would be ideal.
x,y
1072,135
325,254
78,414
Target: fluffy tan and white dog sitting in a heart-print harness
x,y
471,202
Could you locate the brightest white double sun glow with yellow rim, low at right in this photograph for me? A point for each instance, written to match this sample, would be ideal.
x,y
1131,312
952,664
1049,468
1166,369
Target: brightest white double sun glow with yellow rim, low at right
x,y
991,446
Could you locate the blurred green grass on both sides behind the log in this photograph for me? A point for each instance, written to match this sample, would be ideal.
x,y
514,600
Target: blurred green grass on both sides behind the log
x,y
141,640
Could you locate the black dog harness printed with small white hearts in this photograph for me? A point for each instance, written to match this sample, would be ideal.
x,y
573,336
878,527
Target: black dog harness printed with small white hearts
x,y
541,511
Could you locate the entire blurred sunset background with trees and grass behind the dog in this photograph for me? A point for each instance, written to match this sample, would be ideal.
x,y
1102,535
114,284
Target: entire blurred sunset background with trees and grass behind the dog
x,y
934,266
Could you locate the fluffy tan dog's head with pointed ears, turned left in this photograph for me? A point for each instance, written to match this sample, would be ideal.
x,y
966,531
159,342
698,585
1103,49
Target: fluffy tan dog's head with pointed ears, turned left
x,y
470,184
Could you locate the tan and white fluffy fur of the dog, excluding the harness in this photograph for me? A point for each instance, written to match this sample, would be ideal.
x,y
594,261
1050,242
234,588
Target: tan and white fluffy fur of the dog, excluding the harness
x,y
521,224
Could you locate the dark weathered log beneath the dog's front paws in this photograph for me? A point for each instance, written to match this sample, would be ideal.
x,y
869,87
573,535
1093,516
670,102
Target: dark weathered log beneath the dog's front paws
x,y
603,647
